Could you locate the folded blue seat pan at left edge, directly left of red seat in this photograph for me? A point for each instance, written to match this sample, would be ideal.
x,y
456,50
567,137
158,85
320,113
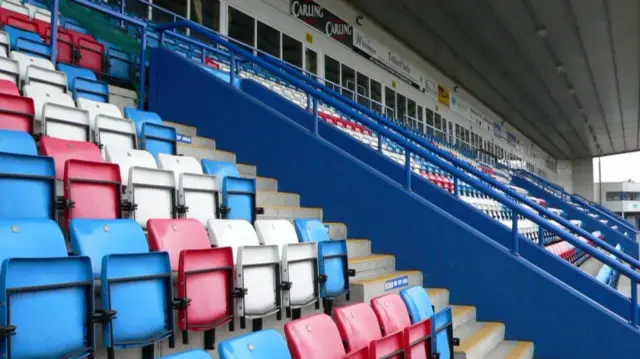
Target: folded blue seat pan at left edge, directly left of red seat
x,y
27,185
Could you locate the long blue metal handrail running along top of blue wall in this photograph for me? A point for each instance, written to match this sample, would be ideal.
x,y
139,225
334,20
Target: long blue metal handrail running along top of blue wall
x,y
441,157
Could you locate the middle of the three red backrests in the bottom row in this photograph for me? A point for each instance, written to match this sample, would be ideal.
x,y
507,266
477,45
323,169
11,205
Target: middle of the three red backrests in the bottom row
x,y
358,325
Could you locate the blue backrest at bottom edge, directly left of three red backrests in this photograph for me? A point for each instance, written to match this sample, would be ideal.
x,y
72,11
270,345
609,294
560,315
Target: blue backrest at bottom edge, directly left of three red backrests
x,y
265,344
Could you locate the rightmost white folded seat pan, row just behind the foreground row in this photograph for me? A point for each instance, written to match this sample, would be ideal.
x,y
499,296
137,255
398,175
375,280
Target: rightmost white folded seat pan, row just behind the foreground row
x,y
199,193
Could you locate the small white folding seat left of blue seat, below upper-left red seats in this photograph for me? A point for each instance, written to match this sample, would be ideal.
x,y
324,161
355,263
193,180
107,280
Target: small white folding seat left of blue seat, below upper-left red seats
x,y
36,69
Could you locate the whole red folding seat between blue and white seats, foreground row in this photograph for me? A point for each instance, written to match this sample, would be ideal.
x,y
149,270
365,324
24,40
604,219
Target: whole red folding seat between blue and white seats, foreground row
x,y
205,275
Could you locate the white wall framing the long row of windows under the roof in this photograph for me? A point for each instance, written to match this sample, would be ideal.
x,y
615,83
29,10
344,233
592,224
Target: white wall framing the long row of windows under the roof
x,y
276,14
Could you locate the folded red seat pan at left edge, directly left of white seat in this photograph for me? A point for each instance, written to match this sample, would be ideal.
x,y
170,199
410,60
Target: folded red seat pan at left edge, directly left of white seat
x,y
16,113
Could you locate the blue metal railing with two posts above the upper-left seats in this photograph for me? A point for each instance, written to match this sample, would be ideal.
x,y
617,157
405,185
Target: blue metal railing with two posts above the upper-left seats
x,y
105,10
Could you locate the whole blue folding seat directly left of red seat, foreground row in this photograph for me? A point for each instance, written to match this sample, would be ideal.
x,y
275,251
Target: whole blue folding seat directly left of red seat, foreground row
x,y
136,286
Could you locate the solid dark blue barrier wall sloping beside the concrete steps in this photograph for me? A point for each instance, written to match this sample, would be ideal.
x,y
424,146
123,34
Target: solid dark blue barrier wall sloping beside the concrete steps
x,y
477,269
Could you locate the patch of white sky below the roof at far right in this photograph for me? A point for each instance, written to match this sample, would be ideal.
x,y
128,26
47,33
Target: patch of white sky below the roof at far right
x,y
618,168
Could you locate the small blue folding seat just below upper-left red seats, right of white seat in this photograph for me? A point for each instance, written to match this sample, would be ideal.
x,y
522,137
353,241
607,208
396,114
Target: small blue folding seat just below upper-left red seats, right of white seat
x,y
83,83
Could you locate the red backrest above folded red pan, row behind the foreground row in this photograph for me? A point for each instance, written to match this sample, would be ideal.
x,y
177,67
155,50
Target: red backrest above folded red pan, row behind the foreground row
x,y
64,150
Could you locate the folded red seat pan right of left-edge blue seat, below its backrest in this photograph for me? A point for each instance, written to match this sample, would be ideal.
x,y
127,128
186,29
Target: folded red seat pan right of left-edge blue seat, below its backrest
x,y
95,189
